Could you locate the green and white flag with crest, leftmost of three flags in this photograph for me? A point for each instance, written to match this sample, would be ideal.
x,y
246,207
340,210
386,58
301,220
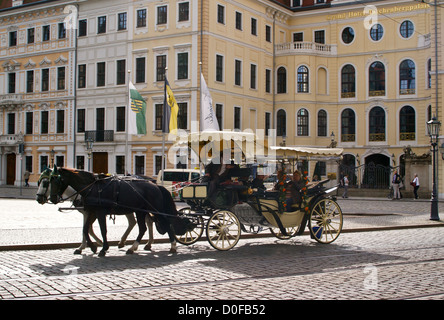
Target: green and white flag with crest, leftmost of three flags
x,y
136,112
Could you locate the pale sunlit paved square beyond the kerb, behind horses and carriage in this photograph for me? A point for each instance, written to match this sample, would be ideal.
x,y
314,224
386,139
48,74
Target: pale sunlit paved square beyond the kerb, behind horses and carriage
x,y
26,224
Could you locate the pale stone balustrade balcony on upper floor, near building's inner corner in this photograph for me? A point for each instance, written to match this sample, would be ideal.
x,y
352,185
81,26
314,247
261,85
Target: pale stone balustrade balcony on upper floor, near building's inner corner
x,y
306,48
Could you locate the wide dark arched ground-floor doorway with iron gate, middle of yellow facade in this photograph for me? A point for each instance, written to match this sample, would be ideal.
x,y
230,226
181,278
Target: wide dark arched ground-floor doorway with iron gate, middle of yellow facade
x,y
377,172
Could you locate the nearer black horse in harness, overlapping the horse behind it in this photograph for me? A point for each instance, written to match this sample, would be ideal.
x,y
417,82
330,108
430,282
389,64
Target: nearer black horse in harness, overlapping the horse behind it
x,y
114,195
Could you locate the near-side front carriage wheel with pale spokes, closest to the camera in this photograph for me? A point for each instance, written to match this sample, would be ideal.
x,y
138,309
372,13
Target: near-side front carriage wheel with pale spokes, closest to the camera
x,y
223,230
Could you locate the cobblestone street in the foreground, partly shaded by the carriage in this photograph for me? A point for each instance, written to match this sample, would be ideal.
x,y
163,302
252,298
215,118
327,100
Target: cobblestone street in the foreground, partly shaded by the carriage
x,y
397,264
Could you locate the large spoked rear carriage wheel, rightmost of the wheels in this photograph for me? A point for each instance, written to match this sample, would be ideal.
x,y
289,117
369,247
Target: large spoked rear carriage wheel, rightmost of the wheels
x,y
325,221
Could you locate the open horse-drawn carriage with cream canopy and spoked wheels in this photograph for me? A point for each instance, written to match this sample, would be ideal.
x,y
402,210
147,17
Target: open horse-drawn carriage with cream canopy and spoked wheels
x,y
239,207
